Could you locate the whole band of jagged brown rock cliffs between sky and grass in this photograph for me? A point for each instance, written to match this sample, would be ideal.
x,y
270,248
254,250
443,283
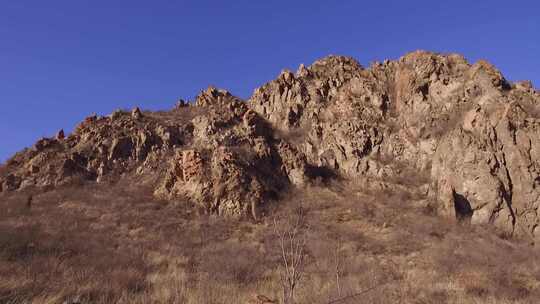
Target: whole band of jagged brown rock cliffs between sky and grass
x,y
461,135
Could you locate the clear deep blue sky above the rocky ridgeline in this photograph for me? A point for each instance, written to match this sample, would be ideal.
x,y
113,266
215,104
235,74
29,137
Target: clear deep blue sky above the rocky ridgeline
x,y
62,60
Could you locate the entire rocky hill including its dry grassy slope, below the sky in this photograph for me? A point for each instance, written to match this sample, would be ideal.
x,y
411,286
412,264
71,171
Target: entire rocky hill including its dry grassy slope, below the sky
x,y
373,174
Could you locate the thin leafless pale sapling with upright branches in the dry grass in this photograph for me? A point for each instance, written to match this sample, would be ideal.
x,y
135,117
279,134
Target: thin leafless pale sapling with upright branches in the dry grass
x,y
291,234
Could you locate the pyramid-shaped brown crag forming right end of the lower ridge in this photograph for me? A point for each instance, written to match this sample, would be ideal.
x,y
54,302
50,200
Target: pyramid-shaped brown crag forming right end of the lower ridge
x,y
234,166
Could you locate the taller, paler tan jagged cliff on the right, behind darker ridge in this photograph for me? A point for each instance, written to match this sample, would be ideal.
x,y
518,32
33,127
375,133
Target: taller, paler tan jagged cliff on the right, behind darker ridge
x,y
473,133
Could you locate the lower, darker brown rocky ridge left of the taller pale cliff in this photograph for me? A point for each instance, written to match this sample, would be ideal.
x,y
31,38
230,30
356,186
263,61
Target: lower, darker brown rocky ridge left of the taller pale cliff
x,y
217,154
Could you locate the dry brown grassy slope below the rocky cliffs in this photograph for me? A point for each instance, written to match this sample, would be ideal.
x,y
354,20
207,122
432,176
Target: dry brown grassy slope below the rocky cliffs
x,y
116,244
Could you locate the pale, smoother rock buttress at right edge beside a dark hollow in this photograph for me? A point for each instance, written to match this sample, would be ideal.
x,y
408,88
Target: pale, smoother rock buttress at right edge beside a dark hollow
x,y
493,158
